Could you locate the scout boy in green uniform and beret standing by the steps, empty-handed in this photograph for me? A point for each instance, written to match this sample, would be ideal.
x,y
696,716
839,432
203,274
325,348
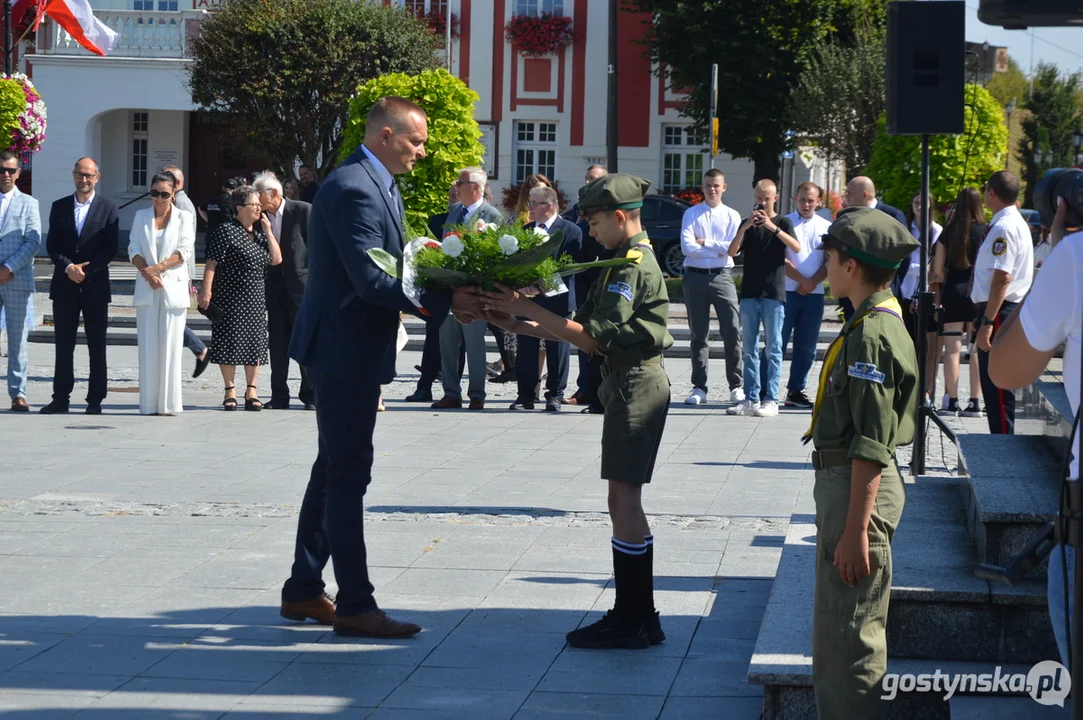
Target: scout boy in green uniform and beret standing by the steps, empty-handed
x,y
865,409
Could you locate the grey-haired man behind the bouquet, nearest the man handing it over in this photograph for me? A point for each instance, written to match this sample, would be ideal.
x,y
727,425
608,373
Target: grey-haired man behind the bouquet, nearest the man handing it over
x,y
472,208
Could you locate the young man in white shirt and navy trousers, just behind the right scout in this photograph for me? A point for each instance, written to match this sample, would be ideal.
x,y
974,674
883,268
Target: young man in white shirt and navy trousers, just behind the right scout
x,y
805,276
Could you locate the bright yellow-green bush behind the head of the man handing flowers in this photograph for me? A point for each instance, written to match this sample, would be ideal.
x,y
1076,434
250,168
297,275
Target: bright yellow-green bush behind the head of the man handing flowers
x,y
453,141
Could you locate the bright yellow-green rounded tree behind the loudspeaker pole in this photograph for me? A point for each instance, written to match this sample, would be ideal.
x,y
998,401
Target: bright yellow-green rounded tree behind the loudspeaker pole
x,y
956,162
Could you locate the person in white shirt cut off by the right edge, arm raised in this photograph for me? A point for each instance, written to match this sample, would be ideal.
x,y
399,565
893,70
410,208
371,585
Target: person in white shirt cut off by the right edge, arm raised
x,y
1052,316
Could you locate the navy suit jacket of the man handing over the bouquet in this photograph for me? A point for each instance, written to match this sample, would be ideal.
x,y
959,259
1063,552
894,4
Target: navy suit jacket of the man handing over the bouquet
x,y
348,323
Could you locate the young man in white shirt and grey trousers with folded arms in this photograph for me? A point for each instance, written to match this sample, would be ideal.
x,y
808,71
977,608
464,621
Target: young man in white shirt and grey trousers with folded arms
x,y
708,230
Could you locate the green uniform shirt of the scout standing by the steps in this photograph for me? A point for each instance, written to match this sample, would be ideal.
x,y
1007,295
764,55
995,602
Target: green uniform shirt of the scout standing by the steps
x,y
871,397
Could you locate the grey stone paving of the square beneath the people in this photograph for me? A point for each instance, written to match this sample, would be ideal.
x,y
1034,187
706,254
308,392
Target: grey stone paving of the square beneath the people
x,y
148,556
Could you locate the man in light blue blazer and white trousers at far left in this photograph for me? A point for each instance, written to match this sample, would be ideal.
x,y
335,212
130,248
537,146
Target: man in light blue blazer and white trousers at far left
x,y
20,240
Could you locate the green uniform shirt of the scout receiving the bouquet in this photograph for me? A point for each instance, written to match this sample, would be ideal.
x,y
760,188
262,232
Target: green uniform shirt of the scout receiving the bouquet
x,y
628,308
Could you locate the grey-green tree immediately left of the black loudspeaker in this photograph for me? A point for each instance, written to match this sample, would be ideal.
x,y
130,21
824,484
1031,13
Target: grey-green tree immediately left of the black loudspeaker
x,y
841,96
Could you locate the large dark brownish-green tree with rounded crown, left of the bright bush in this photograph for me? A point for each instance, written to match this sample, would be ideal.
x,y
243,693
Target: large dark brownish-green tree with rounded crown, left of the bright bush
x,y
286,70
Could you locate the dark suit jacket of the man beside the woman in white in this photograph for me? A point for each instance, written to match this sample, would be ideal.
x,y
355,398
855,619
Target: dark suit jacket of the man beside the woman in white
x,y
97,244
